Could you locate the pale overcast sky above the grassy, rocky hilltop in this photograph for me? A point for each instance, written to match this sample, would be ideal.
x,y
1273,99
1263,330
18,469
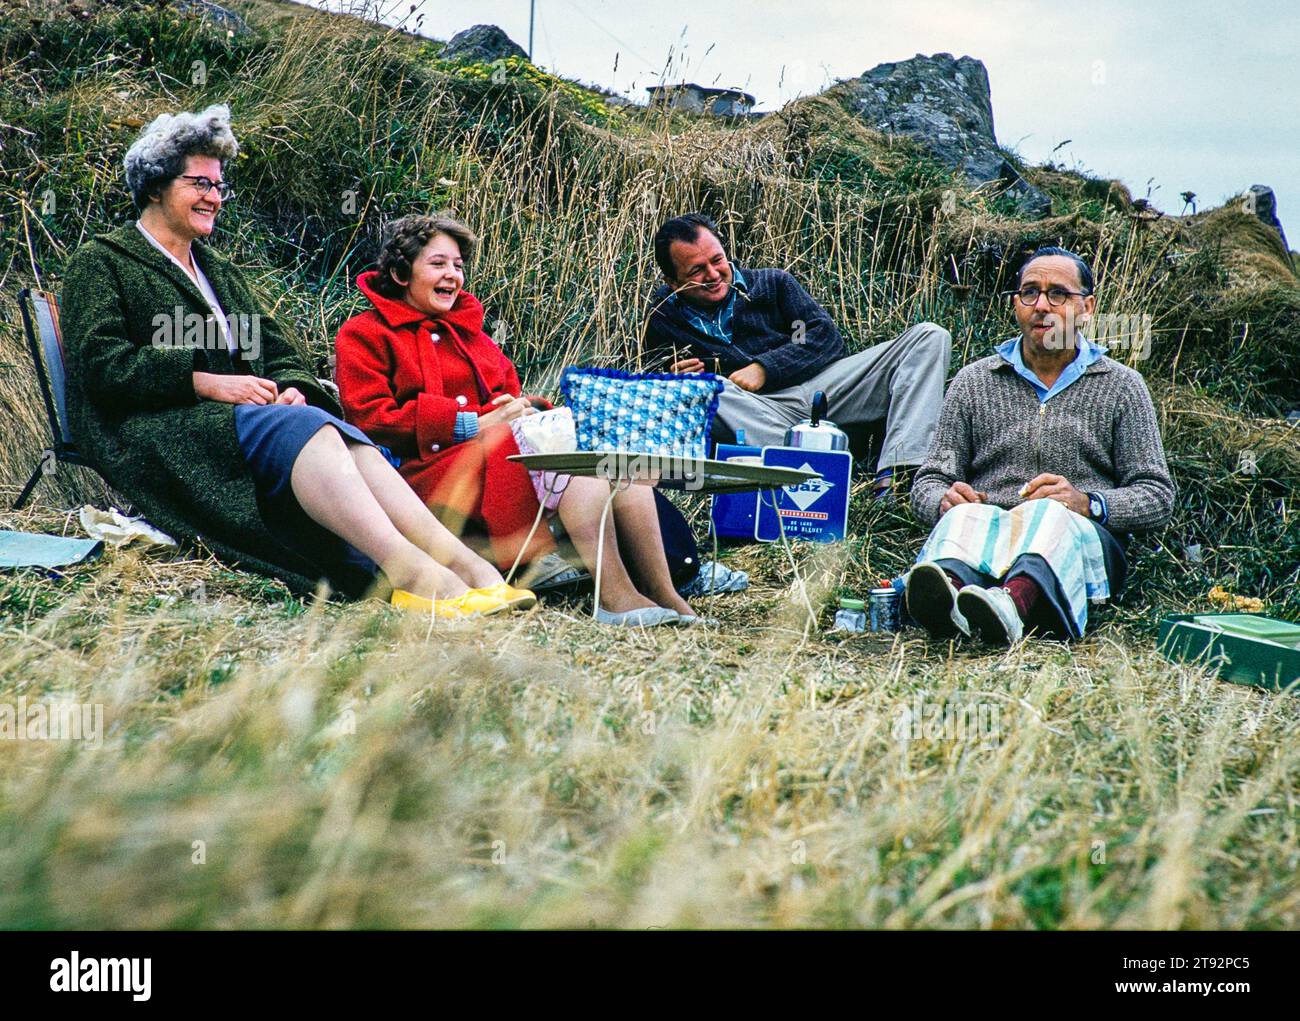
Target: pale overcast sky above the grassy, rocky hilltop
x,y
1191,96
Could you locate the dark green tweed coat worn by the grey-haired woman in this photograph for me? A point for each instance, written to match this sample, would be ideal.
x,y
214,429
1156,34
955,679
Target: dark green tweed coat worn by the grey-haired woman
x,y
132,404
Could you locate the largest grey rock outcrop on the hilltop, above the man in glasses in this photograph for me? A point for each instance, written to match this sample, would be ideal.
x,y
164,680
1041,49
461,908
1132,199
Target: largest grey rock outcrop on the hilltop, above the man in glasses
x,y
944,103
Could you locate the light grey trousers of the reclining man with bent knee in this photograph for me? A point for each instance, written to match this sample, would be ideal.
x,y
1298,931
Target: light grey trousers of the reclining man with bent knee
x,y
900,382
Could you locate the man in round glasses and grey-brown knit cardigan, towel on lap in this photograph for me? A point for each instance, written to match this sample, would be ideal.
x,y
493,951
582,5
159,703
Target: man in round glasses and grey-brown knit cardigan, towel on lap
x,y
1047,458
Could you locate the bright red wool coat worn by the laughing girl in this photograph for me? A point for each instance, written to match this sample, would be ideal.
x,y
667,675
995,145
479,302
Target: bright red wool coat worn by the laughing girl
x,y
402,378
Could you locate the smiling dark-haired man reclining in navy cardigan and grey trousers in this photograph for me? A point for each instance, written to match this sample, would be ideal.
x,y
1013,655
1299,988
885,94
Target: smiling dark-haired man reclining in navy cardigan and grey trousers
x,y
777,347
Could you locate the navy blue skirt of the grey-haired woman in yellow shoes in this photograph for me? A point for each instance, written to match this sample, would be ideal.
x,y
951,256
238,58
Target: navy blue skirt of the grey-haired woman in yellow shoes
x,y
271,439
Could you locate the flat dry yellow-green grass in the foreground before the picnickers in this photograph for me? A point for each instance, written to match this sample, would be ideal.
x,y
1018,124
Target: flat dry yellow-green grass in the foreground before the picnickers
x,y
350,767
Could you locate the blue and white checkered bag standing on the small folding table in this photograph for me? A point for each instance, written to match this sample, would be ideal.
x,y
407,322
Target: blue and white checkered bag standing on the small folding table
x,y
652,413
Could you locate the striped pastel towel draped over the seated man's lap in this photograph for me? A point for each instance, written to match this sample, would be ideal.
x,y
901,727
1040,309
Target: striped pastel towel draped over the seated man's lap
x,y
990,539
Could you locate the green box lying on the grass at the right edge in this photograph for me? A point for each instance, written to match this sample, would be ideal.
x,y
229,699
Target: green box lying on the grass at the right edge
x,y
1246,648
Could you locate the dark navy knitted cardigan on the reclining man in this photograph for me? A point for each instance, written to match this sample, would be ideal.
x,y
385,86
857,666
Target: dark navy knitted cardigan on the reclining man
x,y
777,325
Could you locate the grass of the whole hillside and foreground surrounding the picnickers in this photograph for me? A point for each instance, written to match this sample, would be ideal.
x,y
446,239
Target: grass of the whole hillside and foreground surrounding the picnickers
x,y
544,772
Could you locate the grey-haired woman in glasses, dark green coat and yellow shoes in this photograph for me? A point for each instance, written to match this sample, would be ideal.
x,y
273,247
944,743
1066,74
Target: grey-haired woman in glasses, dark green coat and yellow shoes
x,y
197,405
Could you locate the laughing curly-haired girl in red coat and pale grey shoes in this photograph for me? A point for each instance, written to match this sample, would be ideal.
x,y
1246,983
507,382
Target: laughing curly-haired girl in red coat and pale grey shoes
x,y
418,374
